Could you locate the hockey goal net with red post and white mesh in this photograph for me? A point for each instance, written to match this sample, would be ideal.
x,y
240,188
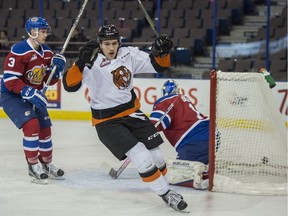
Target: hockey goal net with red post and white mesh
x,y
248,144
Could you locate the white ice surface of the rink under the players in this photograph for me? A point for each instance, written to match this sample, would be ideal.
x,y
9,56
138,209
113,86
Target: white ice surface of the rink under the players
x,y
89,191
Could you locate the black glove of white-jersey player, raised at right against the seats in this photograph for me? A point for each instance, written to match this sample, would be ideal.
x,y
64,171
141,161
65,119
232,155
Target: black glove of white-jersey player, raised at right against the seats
x,y
161,46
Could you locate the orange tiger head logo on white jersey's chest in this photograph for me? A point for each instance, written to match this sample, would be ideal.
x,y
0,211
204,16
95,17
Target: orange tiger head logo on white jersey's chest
x,y
121,77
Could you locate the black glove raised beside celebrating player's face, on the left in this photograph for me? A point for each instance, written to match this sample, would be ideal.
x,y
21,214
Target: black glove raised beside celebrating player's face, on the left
x,y
87,54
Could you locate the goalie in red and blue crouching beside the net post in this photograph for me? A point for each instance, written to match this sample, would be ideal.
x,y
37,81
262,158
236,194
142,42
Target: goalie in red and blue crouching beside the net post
x,y
187,130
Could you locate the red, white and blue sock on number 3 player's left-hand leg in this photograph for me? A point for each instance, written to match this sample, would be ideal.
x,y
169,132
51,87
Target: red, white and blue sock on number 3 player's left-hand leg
x,y
31,140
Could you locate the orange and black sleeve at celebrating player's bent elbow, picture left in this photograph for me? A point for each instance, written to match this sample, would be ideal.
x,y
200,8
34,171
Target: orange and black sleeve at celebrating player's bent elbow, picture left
x,y
72,79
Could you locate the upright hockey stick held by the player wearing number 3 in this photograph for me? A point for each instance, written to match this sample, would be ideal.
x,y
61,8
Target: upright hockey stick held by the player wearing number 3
x,y
66,43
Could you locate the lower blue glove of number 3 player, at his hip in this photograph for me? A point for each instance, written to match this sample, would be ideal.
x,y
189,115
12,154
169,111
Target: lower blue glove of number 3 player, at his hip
x,y
34,96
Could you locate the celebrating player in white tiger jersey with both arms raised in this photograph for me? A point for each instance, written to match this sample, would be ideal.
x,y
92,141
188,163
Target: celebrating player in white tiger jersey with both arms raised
x,y
107,69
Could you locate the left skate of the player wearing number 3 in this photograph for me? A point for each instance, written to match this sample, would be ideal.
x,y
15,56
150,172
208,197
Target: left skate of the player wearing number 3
x,y
37,173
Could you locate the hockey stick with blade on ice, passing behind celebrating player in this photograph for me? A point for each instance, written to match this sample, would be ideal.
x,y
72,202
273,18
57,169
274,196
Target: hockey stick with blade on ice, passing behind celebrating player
x,y
116,173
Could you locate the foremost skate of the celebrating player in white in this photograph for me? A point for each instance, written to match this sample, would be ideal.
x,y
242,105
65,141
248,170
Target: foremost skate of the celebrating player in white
x,y
175,201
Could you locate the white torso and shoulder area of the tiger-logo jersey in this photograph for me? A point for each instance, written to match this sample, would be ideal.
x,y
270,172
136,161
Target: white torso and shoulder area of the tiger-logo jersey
x,y
110,81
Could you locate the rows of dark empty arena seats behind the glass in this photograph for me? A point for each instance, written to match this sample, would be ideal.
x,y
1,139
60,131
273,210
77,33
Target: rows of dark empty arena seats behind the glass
x,y
188,22
